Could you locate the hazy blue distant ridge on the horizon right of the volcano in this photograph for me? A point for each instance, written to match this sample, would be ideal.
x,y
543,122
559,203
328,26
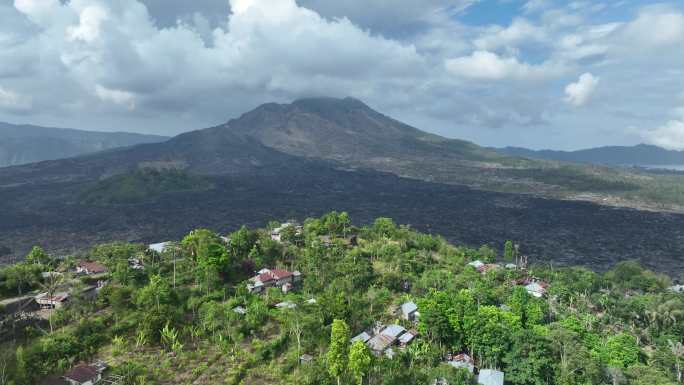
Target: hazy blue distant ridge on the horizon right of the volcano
x,y
639,155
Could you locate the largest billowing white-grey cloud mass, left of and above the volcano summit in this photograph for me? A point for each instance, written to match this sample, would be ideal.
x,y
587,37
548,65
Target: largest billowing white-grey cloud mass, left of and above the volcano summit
x,y
265,50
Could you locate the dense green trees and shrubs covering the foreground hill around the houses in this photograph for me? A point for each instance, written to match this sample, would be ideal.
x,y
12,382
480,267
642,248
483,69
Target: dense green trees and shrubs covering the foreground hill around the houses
x,y
621,327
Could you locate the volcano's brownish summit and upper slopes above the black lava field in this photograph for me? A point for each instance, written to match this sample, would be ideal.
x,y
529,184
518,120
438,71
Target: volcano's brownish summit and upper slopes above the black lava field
x,y
351,135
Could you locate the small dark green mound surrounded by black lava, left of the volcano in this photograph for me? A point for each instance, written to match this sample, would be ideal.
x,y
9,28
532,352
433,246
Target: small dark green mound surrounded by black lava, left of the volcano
x,y
141,186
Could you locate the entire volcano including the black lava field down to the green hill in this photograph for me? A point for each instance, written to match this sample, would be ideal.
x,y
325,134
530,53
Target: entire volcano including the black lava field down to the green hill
x,y
316,155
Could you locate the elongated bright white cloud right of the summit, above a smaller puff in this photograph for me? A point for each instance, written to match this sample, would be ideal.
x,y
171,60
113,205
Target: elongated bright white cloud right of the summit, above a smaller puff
x,y
485,65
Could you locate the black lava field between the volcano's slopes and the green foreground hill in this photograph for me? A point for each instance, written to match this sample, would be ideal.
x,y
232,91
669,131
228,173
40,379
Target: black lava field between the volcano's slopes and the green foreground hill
x,y
562,232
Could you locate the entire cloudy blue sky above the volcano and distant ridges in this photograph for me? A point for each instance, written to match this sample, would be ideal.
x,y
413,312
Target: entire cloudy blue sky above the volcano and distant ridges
x,y
533,73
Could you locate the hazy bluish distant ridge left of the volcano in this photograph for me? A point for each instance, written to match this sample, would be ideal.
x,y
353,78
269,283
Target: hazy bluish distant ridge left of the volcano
x,y
21,144
